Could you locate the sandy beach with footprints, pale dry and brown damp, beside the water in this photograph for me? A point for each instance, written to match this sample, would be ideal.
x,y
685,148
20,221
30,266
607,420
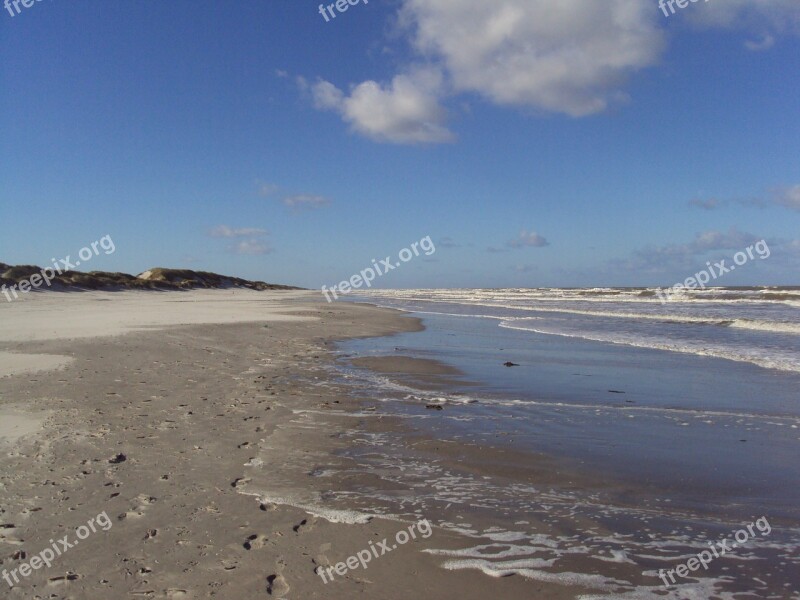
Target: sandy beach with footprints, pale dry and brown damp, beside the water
x,y
154,405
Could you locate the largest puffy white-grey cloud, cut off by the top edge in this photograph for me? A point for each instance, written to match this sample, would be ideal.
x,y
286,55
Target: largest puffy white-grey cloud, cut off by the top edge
x,y
569,56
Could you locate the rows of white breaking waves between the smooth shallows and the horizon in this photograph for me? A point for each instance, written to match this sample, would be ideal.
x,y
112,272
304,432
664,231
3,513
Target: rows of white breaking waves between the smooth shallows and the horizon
x,y
754,325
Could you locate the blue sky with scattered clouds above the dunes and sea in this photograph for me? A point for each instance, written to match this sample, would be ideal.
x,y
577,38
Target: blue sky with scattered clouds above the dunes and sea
x,y
536,142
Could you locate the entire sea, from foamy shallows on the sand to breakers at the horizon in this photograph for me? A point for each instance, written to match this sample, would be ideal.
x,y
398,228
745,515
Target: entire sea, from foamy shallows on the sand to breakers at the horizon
x,y
677,423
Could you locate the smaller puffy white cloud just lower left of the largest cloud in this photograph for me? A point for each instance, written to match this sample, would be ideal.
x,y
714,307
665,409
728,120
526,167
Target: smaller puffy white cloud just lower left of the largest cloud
x,y
407,111
